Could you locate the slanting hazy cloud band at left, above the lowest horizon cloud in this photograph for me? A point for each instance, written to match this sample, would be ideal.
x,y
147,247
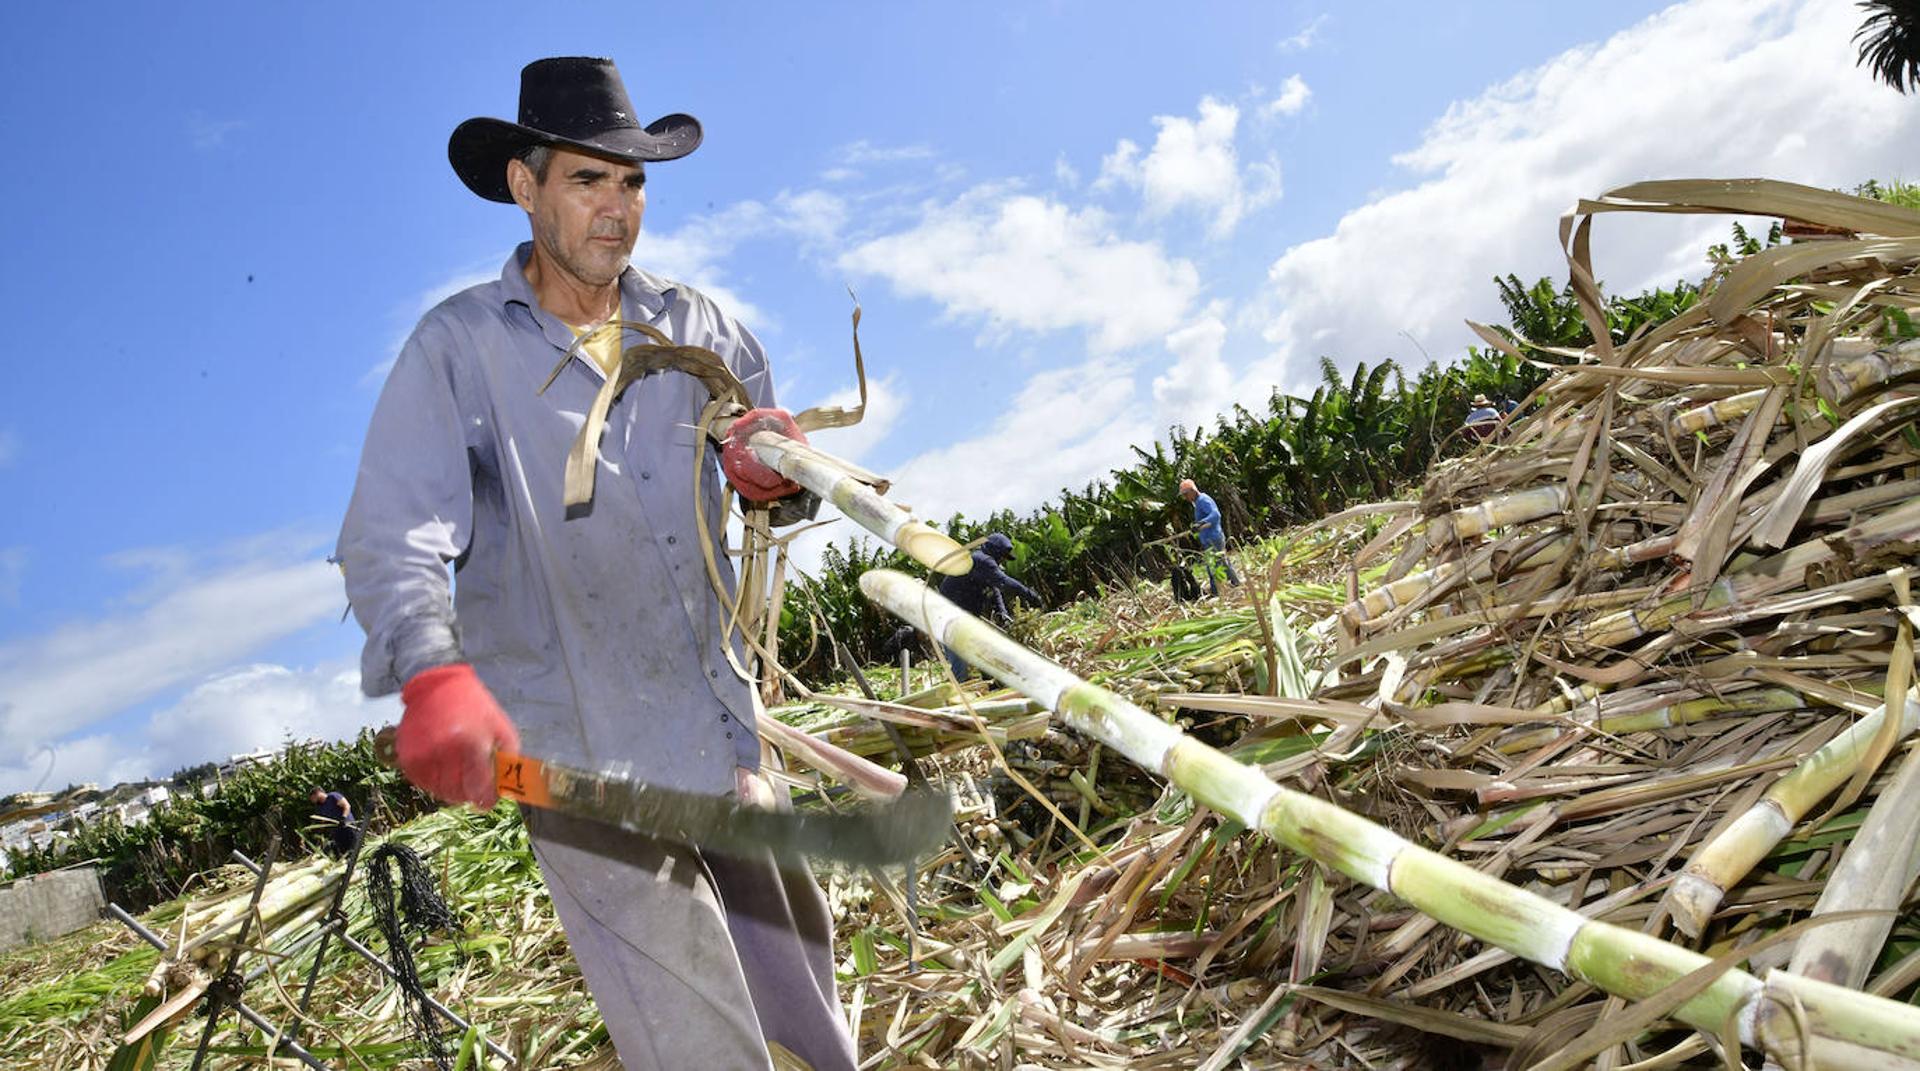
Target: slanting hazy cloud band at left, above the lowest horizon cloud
x,y
199,617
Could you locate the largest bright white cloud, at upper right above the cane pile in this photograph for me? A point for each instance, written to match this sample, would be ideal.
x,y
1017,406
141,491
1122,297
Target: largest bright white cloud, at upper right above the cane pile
x,y
1704,89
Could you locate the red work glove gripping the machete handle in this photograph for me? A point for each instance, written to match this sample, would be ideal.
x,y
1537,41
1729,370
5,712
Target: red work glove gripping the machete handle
x,y
450,732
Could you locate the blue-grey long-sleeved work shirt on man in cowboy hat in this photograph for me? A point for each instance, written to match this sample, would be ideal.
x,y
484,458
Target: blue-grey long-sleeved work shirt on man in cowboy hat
x,y
600,634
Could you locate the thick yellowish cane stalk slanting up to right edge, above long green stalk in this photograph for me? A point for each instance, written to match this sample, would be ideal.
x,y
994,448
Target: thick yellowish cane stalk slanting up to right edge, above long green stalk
x,y
1721,863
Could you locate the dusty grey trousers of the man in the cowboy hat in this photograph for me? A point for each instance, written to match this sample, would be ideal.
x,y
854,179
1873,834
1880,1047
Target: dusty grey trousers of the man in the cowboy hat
x,y
694,959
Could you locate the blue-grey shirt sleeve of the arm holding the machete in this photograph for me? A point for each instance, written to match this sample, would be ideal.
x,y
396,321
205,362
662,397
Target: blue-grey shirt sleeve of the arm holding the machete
x,y
410,517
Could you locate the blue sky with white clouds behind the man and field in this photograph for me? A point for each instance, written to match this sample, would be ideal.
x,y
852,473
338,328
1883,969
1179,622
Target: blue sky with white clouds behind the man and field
x,y
1070,226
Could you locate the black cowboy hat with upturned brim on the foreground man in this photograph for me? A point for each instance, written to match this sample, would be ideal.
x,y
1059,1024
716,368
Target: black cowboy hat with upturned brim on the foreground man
x,y
571,103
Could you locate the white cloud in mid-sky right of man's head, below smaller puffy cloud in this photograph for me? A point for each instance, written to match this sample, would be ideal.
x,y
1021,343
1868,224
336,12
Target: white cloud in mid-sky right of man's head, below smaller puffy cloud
x,y
1017,262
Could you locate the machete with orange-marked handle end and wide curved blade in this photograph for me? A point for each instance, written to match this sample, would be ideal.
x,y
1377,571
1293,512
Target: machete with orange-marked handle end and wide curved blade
x,y
884,834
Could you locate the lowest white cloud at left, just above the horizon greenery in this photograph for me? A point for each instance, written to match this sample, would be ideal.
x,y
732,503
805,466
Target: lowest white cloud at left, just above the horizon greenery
x,y
229,713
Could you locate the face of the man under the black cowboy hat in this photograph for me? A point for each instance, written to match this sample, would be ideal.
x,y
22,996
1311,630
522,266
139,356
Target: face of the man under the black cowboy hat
x,y
587,214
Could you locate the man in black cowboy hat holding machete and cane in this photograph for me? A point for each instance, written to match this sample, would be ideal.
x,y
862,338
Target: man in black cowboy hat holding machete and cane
x,y
596,629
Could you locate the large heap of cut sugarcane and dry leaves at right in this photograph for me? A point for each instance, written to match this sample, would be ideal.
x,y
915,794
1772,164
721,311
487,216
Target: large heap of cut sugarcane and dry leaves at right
x,y
1600,765
